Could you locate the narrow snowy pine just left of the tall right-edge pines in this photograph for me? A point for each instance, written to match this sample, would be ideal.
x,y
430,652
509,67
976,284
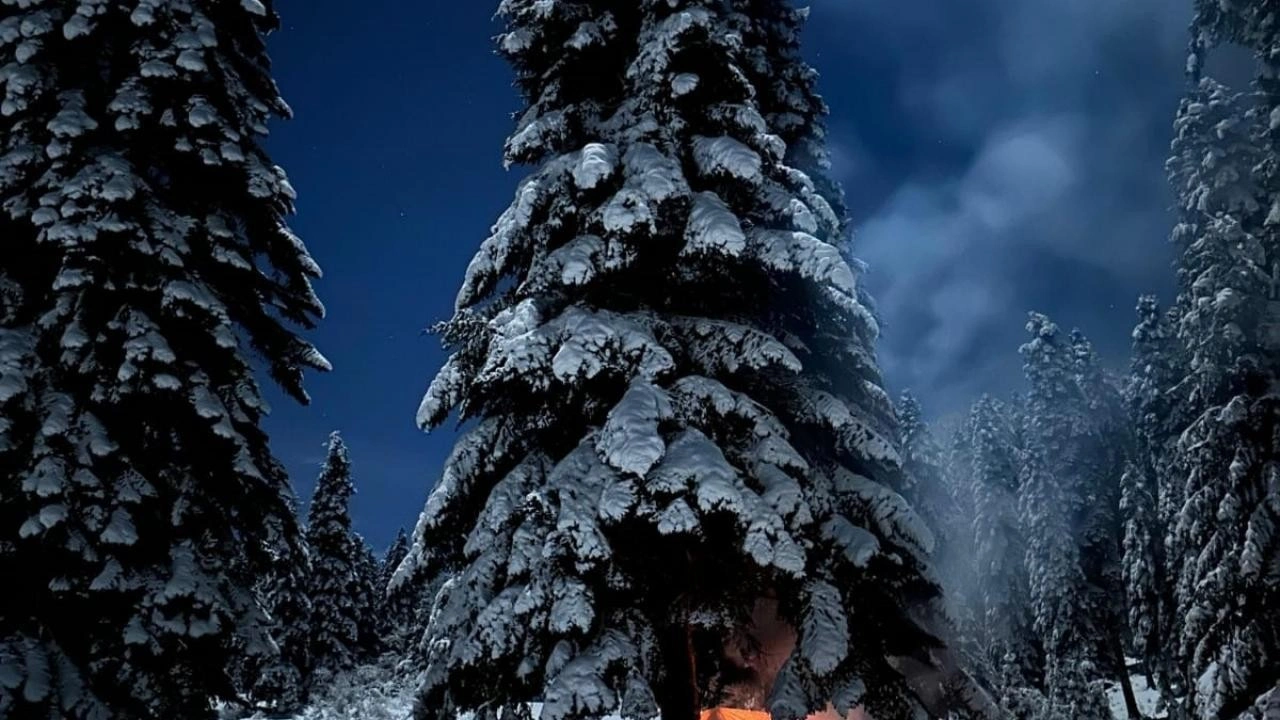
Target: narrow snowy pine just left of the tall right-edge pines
x,y
1150,493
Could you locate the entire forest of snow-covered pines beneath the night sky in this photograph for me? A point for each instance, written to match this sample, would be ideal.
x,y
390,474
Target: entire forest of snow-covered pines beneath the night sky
x,y
682,486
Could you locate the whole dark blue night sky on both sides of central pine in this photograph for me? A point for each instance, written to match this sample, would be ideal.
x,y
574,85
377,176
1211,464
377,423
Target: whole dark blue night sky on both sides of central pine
x,y
999,156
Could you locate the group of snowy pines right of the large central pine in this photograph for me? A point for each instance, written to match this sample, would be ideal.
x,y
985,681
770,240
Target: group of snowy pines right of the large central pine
x,y
1098,516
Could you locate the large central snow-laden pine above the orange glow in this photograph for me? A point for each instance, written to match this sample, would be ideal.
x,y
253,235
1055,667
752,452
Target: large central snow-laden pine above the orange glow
x,y
666,364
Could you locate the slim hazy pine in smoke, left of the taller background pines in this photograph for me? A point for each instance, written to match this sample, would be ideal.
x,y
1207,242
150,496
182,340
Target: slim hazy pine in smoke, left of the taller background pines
x,y
1009,639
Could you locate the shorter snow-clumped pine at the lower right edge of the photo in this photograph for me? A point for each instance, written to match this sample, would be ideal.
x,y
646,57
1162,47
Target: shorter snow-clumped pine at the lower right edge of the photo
x,y
1227,581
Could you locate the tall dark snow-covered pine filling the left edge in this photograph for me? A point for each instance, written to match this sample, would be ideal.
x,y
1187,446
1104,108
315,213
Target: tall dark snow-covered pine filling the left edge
x,y
138,494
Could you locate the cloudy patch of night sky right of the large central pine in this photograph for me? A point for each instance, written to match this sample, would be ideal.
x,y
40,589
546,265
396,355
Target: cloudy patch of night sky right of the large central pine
x,y
1034,176
